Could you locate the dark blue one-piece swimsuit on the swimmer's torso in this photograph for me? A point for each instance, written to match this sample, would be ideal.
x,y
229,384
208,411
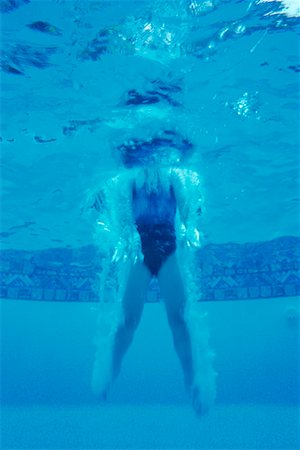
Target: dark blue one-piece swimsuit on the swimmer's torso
x,y
154,215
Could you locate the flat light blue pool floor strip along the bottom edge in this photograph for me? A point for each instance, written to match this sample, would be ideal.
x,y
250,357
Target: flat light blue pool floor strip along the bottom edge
x,y
149,427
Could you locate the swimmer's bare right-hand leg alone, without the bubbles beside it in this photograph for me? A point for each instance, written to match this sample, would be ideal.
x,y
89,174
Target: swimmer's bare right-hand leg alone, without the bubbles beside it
x,y
172,290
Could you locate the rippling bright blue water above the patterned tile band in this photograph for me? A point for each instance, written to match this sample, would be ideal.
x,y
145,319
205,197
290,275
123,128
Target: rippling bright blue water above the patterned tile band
x,y
235,69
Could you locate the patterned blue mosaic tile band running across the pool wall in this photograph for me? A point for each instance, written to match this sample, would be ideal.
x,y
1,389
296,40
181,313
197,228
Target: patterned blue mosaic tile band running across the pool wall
x,y
227,272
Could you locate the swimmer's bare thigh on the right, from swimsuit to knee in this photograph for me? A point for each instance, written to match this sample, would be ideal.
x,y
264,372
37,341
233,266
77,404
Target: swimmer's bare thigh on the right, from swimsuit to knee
x,y
172,286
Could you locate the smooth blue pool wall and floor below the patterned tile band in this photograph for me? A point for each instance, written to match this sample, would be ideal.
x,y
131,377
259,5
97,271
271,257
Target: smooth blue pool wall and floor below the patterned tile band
x,y
47,399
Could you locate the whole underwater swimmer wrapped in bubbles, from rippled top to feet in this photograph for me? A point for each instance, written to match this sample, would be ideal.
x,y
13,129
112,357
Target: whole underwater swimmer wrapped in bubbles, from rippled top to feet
x,y
148,221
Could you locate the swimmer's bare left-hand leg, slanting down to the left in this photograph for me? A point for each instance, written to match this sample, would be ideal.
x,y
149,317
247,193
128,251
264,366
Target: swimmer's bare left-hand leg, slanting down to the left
x,y
132,305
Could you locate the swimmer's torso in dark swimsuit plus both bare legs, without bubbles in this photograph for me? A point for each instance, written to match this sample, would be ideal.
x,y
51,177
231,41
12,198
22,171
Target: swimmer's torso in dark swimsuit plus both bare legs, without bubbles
x,y
154,214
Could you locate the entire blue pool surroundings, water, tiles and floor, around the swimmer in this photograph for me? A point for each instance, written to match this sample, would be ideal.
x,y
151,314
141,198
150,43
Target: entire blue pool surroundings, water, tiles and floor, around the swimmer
x,y
81,78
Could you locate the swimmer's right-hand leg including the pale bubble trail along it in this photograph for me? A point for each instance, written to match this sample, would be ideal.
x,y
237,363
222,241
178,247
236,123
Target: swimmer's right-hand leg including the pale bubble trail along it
x,y
190,337
